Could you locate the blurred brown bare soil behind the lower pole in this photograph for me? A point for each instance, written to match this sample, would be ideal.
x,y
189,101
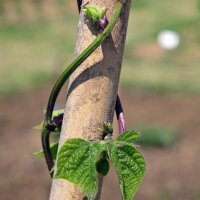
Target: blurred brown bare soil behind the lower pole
x,y
172,174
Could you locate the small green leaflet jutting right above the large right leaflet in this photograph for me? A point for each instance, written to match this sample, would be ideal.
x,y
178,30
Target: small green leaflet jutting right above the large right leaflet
x,y
129,136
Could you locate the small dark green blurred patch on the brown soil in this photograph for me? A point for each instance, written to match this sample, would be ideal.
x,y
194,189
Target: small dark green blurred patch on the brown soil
x,y
157,136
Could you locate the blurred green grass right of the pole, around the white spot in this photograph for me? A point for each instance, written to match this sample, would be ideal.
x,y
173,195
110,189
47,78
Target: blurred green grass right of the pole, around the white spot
x,y
146,65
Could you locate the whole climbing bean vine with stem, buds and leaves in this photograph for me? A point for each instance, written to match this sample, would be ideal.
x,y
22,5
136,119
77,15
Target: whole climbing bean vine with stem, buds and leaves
x,y
81,161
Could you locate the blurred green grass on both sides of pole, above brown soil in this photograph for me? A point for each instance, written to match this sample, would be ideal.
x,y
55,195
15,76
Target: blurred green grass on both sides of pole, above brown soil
x,y
33,52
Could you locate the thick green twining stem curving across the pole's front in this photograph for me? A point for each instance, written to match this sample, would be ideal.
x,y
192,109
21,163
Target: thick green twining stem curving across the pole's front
x,y
65,75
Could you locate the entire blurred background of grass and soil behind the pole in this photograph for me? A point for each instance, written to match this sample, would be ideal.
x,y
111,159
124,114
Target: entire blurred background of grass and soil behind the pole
x,y
159,88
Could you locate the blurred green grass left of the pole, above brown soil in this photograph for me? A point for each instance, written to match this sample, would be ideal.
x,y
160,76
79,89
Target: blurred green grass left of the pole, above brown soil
x,y
32,53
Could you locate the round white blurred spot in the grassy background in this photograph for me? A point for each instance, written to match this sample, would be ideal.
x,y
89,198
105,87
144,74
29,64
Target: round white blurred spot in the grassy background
x,y
168,39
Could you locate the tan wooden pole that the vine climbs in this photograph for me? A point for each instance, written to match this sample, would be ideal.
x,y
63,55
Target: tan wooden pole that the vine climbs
x,y
92,90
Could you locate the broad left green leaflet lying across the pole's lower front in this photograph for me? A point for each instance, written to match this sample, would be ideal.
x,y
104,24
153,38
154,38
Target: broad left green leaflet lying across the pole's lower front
x,y
76,163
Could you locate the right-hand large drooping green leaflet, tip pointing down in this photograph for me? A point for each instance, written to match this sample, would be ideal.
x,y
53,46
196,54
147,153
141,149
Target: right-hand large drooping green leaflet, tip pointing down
x,y
130,167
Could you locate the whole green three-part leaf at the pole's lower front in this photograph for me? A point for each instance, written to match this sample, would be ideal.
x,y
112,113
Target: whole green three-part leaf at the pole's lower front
x,y
79,160
